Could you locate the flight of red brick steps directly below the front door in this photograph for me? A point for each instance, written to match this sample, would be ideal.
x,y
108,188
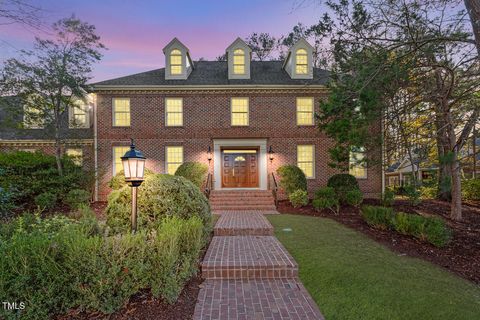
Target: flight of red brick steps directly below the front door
x,y
225,200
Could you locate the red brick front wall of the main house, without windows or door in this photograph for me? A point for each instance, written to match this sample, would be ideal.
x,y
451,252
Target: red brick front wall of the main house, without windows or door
x,y
206,116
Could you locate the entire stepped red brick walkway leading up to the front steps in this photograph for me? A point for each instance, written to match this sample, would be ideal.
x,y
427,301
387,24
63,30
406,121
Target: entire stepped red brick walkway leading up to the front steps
x,y
249,274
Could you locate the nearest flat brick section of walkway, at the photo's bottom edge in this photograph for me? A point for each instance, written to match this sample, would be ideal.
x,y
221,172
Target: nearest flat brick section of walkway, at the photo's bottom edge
x,y
255,299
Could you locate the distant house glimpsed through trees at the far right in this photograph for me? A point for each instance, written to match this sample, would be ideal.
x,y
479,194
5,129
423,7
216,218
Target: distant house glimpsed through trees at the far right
x,y
400,173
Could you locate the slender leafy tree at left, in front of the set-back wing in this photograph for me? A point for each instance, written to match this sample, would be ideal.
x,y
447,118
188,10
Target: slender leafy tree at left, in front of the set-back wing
x,y
53,76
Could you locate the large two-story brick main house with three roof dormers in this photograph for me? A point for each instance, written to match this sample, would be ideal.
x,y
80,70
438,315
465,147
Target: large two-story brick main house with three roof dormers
x,y
239,109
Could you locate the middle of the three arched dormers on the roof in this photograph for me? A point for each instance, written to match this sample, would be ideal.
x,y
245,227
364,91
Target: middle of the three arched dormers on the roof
x,y
238,60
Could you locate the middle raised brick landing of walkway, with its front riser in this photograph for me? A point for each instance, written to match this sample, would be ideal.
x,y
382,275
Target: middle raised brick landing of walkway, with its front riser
x,y
247,257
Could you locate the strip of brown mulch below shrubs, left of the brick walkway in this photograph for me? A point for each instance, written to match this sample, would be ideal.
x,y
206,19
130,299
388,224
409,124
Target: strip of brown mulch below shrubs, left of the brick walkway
x,y
144,306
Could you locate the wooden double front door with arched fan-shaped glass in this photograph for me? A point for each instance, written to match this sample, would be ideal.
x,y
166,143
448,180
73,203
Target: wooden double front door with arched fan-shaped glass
x,y
239,168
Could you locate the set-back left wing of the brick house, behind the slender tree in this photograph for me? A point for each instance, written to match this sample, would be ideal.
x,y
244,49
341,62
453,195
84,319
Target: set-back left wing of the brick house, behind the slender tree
x,y
20,131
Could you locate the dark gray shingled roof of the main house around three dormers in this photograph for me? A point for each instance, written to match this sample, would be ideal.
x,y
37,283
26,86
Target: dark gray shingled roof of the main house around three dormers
x,y
216,73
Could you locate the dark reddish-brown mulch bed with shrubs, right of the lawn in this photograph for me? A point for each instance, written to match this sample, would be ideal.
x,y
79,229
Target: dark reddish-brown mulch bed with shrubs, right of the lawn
x,y
460,256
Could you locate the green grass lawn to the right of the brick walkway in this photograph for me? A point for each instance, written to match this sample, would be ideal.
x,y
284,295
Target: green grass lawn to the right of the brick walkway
x,y
352,277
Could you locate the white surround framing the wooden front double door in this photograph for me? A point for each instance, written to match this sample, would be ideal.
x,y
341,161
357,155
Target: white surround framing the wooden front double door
x,y
261,144
